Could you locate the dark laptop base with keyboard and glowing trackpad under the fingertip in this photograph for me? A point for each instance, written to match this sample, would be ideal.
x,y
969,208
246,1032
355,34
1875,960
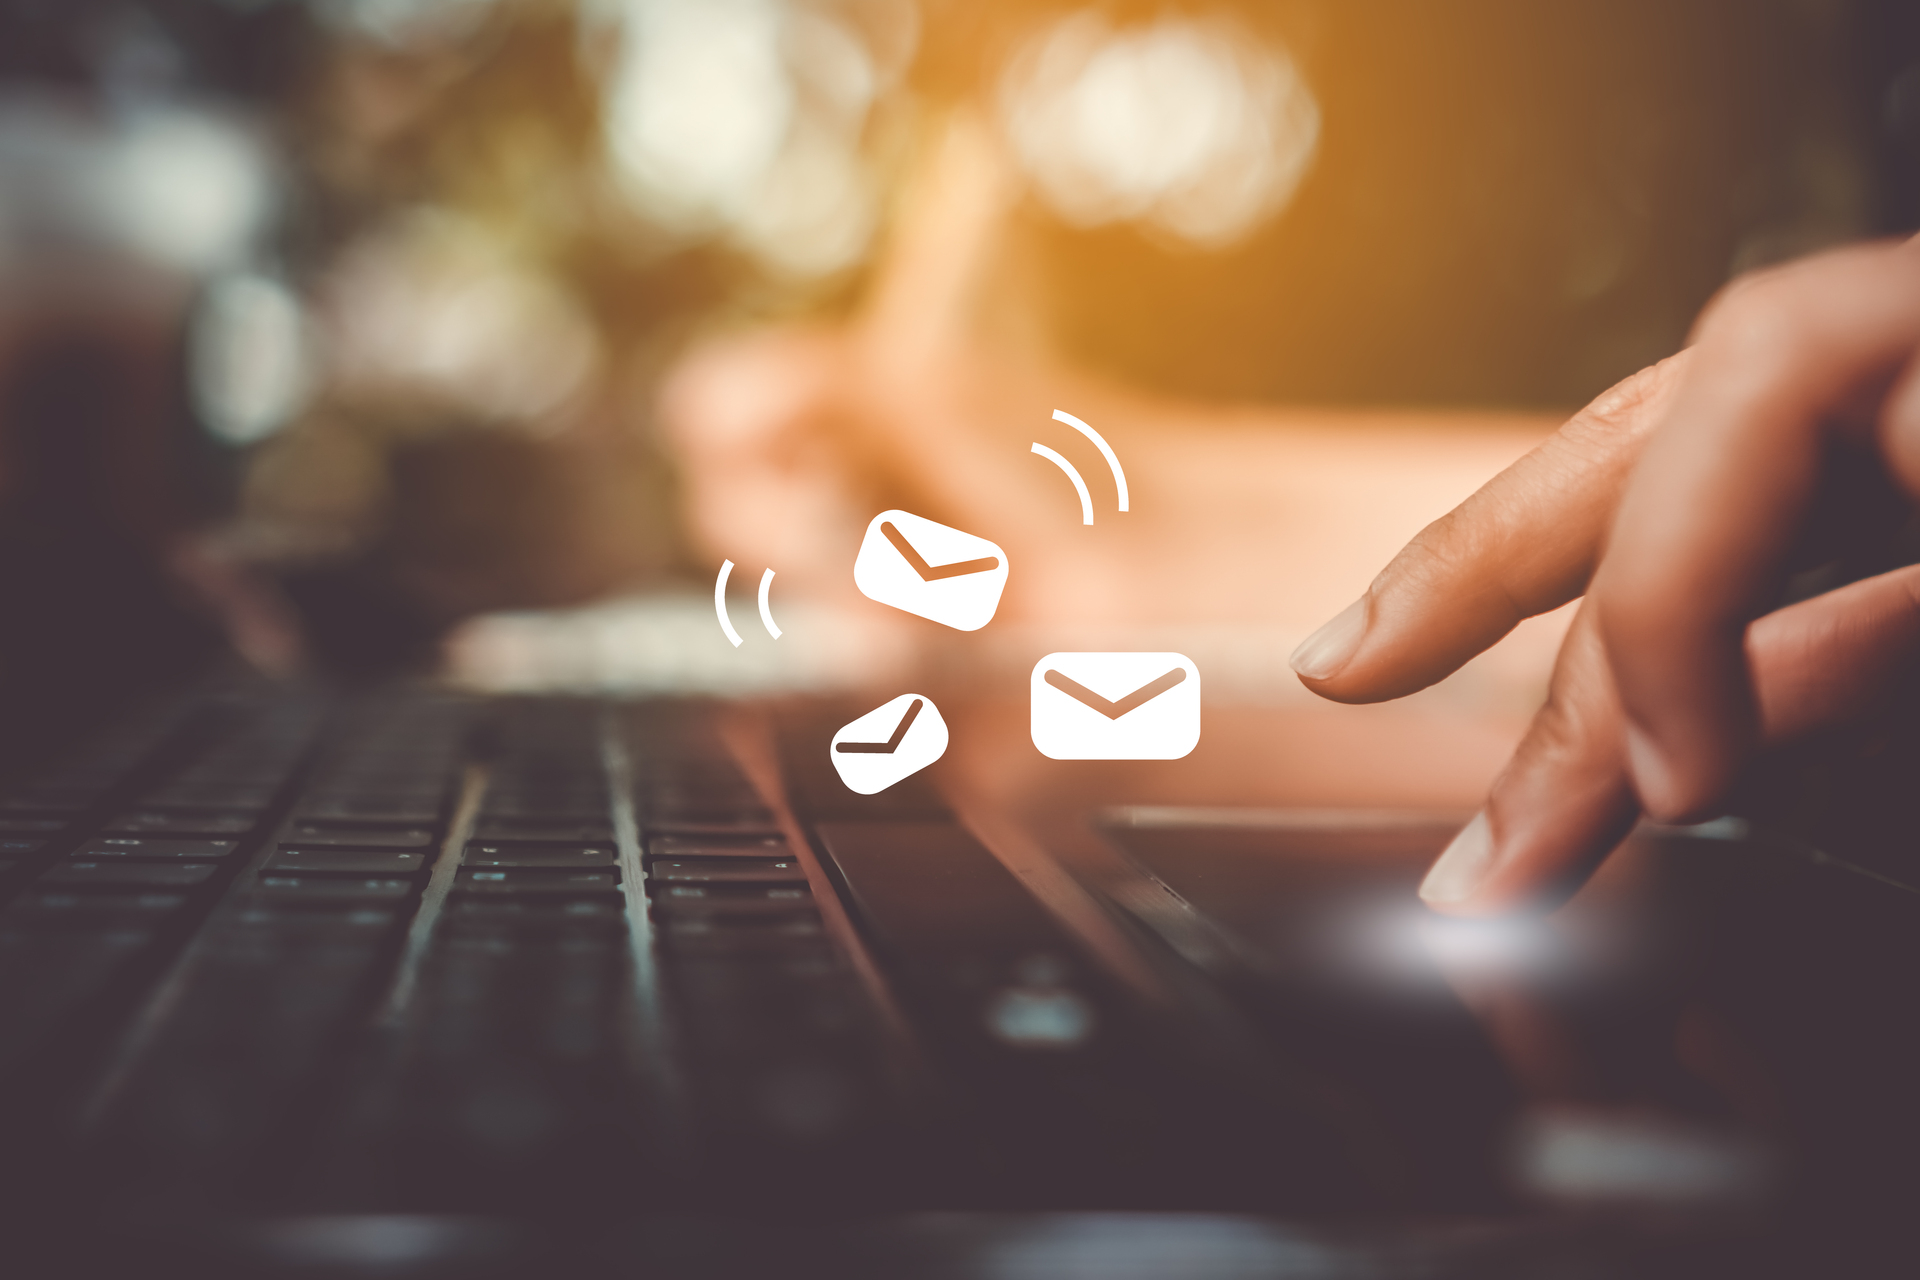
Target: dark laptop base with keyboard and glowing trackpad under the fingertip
x,y
304,980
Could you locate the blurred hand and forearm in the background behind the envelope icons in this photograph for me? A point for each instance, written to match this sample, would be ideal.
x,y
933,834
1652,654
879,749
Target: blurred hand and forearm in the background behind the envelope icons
x,y
930,396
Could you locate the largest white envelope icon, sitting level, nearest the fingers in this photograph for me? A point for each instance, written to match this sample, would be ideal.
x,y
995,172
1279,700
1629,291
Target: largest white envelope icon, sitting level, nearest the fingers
x,y
1116,705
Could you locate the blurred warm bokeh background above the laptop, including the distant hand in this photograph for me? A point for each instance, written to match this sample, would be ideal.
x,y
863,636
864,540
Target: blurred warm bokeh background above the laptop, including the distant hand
x,y
471,335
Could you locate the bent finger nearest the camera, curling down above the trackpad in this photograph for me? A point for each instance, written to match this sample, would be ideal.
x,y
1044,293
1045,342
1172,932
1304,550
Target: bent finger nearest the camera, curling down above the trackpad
x,y
1717,500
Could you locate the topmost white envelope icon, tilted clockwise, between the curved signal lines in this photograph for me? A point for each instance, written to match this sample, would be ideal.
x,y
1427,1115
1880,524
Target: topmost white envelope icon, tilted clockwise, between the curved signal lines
x,y
930,571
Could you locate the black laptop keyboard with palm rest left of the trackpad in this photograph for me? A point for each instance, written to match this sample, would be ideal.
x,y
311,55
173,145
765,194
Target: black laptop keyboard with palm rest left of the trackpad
x,y
272,951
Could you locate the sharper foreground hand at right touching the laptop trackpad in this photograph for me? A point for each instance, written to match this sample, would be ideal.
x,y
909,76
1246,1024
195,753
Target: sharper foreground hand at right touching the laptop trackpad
x,y
1681,504
